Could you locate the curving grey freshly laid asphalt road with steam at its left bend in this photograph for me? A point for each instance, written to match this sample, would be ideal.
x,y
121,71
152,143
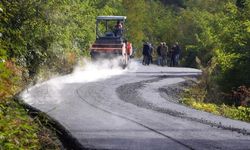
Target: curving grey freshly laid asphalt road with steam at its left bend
x,y
126,110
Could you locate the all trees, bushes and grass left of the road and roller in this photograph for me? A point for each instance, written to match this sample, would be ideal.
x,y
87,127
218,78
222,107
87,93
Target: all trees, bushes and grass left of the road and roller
x,y
40,39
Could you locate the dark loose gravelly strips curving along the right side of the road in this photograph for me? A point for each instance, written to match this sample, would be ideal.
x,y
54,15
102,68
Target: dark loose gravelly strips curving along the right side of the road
x,y
129,93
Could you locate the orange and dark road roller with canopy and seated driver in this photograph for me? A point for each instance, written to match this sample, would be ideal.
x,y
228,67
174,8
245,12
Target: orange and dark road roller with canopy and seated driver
x,y
110,40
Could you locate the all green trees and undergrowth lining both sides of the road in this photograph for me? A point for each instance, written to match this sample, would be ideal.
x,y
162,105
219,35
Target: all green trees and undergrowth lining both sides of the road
x,y
39,39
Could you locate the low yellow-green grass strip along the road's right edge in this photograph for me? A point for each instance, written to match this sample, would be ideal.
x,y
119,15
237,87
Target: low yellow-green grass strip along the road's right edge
x,y
237,113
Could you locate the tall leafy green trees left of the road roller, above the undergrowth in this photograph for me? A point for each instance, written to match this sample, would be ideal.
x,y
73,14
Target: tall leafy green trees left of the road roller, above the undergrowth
x,y
38,33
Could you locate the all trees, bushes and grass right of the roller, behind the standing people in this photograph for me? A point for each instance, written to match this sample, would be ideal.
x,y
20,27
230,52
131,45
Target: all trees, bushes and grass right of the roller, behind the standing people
x,y
214,36
